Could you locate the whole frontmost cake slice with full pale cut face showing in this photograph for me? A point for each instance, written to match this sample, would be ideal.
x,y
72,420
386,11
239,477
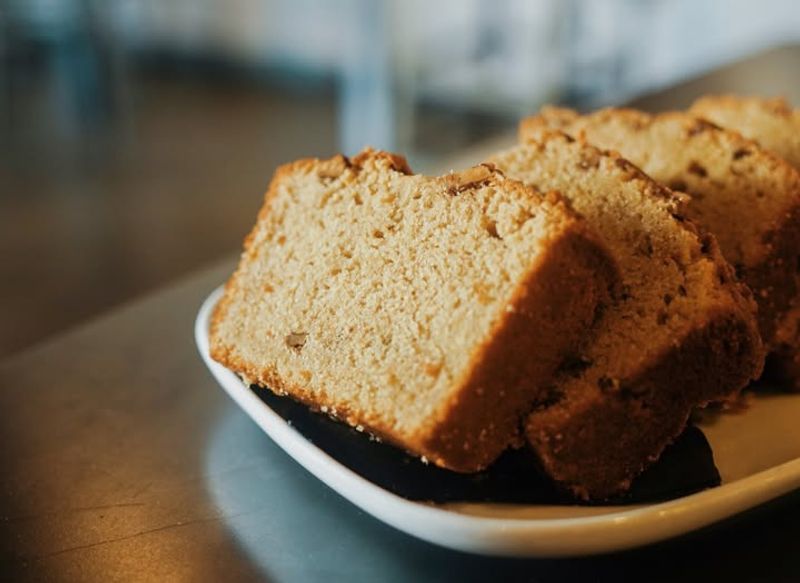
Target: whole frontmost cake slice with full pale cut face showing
x,y
431,312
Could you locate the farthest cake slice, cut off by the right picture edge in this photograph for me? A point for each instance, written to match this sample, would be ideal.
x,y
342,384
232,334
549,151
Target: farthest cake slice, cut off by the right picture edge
x,y
775,126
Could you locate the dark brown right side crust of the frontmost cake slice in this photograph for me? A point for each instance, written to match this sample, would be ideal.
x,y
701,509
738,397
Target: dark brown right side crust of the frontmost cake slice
x,y
559,300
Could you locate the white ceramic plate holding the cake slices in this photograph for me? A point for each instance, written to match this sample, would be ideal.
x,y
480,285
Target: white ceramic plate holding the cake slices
x,y
756,452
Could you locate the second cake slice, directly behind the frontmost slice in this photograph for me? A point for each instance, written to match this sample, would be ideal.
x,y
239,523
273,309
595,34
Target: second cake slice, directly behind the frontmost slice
x,y
682,333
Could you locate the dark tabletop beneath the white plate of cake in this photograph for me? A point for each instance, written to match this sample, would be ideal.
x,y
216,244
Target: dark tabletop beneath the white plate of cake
x,y
123,460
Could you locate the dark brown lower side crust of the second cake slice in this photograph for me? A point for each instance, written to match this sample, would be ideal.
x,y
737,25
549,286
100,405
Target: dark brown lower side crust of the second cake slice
x,y
597,448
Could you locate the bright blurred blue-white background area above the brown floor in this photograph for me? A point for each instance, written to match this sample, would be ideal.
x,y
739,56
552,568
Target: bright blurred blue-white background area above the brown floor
x,y
388,57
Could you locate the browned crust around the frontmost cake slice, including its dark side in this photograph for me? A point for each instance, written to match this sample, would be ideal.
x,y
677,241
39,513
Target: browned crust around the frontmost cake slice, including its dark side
x,y
577,271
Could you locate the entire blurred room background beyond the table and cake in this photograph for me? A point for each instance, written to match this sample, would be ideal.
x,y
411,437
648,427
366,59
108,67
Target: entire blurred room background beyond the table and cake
x,y
137,136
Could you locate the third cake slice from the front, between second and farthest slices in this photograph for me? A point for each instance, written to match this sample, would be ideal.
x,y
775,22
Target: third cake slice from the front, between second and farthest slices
x,y
746,196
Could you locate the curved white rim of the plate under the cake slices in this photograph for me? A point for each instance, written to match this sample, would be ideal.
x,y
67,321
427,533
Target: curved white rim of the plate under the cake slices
x,y
513,537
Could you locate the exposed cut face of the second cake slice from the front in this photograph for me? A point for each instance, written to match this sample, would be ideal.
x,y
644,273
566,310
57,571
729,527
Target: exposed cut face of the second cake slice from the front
x,y
674,277
